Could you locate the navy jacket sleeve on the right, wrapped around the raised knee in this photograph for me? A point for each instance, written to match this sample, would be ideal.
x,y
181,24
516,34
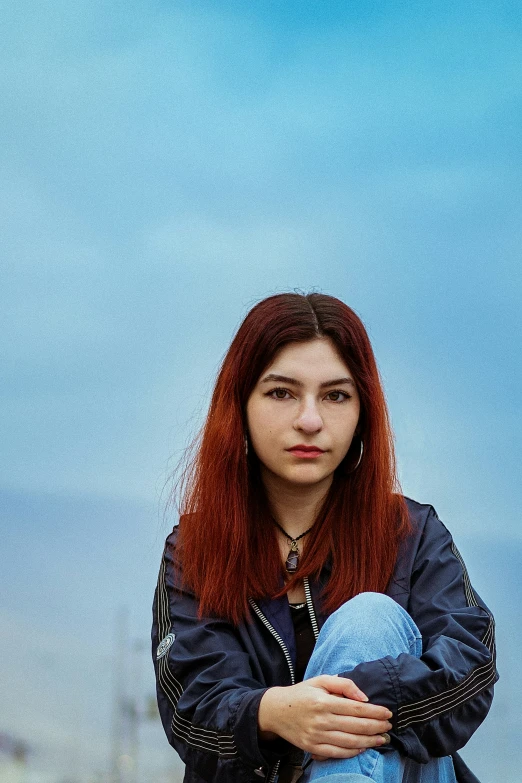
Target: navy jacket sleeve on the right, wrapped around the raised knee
x,y
439,699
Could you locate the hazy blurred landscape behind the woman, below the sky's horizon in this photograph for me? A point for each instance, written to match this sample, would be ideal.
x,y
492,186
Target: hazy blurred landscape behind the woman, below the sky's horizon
x,y
78,686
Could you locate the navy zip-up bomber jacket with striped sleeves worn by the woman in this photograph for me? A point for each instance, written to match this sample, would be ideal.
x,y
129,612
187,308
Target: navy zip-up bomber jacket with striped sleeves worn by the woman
x,y
211,675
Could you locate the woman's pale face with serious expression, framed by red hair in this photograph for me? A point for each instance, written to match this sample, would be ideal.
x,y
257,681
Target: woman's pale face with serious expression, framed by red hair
x,y
306,398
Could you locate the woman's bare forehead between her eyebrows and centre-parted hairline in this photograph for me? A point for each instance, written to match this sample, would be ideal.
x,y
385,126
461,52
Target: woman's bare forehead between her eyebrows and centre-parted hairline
x,y
314,360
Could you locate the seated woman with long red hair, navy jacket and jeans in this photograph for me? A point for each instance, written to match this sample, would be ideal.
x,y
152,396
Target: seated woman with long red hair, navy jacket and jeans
x,y
310,621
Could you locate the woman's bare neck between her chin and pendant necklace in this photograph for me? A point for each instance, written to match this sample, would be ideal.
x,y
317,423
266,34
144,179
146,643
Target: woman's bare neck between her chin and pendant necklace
x,y
294,506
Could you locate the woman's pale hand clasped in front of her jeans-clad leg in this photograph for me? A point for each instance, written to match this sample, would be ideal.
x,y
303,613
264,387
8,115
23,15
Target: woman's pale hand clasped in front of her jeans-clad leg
x,y
312,716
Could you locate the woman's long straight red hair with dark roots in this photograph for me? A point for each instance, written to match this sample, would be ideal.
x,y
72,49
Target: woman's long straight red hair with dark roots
x,y
227,544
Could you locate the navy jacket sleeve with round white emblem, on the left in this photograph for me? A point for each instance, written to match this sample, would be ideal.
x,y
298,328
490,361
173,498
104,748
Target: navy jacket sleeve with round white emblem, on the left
x,y
207,696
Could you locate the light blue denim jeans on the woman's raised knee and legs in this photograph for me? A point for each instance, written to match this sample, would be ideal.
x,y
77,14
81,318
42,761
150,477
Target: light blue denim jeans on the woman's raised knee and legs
x,y
368,627
